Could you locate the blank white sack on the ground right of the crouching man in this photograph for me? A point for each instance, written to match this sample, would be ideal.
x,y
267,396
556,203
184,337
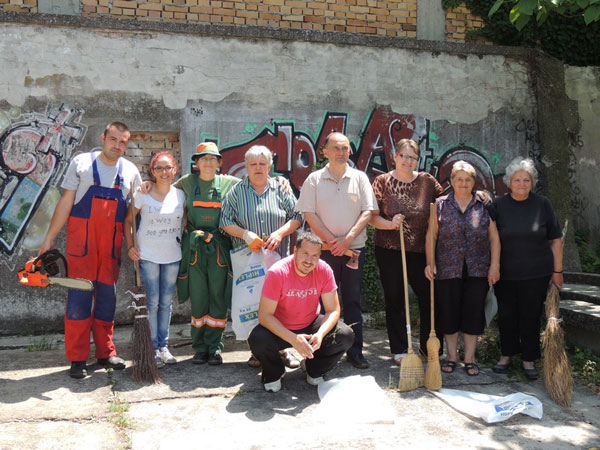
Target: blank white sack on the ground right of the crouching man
x,y
340,397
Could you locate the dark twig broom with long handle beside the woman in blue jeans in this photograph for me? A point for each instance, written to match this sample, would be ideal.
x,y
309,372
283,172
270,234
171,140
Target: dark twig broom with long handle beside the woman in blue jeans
x,y
144,364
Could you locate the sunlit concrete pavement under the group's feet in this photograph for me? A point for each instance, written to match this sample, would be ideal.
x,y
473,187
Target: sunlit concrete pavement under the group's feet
x,y
225,407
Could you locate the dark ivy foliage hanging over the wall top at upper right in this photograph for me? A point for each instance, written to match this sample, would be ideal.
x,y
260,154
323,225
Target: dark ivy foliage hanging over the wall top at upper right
x,y
565,38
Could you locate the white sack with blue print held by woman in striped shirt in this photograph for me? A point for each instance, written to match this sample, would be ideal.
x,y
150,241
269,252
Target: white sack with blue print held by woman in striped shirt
x,y
249,271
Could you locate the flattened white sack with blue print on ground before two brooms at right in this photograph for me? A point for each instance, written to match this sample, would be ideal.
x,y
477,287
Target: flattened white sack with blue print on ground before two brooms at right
x,y
491,408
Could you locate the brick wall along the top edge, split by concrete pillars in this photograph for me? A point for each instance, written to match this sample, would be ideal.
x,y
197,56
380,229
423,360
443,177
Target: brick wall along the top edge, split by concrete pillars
x,y
382,17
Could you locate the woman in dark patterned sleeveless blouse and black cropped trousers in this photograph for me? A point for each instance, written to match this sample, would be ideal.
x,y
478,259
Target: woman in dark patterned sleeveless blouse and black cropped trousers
x,y
467,262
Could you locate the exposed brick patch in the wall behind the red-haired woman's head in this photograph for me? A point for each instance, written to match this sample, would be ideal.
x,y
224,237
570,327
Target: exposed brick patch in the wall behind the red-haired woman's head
x,y
143,145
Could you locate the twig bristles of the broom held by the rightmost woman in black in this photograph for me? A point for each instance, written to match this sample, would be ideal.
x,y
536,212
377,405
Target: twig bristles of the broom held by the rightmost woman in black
x,y
557,369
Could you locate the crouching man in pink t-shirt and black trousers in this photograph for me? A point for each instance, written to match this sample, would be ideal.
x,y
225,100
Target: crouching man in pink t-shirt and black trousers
x,y
290,314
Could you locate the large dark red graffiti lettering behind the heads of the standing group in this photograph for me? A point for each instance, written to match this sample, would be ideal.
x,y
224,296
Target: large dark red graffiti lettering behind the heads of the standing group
x,y
297,150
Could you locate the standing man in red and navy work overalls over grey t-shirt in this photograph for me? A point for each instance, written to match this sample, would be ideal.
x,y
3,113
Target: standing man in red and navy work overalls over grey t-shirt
x,y
93,205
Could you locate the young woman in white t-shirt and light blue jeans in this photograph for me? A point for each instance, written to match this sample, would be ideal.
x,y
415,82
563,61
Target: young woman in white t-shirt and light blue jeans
x,y
159,238
